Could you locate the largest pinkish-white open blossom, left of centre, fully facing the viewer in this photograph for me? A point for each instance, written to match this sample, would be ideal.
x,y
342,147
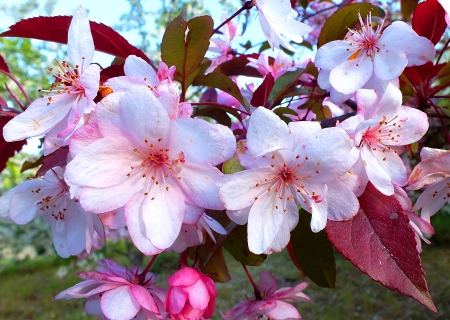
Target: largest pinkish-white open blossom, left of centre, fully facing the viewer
x,y
152,165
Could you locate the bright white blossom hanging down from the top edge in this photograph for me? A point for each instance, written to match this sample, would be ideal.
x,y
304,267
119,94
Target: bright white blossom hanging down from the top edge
x,y
277,19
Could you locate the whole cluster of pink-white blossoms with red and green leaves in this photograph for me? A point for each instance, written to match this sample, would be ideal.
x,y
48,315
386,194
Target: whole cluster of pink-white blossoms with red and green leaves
x,y
310,152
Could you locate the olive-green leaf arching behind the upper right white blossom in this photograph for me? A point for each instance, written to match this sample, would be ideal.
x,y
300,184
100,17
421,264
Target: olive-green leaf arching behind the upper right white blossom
x,y
335,28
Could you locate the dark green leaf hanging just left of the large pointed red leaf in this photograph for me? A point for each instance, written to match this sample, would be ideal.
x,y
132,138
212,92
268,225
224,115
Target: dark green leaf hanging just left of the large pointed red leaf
x,y
313,252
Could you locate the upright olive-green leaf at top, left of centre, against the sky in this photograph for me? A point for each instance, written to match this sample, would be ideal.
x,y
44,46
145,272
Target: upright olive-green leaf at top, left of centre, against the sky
x,y
186,52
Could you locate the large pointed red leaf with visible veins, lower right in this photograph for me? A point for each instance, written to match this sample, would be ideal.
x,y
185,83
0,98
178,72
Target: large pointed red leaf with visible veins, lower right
x,y
380,242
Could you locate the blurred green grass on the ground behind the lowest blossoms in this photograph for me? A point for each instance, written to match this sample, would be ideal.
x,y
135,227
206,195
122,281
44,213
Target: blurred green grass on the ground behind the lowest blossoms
x,y
27,289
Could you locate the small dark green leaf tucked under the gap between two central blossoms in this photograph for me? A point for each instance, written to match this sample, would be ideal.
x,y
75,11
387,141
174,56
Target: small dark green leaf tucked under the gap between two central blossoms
x,y
236,244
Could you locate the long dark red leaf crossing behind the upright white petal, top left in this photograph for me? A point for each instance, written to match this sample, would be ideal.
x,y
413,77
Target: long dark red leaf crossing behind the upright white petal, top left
x,y
55,29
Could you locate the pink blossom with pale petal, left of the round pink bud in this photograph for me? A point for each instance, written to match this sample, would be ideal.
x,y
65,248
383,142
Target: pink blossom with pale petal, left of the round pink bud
x,y
118,293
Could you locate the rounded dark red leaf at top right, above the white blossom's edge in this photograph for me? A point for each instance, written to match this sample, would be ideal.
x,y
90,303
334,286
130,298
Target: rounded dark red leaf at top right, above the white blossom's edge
x,y
429,20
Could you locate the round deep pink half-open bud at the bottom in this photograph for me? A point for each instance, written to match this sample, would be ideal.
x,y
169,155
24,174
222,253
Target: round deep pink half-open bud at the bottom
x,y
191,296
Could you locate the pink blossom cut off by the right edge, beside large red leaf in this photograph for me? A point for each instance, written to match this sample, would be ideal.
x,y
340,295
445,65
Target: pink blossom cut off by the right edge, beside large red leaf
x,y
432,173
